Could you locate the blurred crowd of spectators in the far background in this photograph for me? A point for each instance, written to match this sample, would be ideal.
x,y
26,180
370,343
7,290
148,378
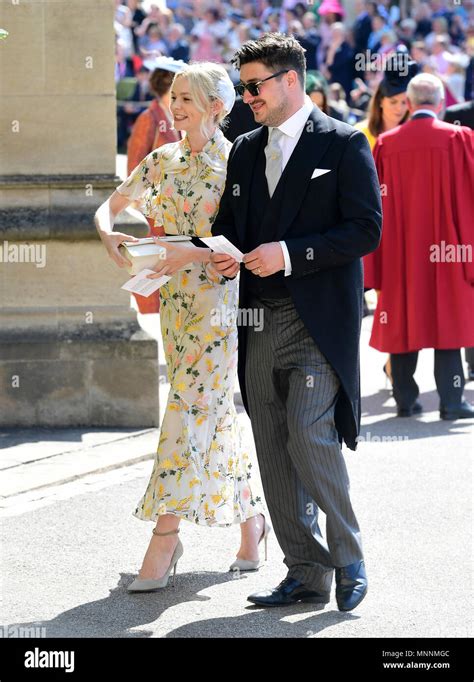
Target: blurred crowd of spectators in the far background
x,y
345,57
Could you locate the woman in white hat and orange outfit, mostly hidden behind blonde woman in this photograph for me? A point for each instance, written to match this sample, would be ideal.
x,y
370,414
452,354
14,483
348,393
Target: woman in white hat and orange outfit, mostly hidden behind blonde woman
x,y
152,129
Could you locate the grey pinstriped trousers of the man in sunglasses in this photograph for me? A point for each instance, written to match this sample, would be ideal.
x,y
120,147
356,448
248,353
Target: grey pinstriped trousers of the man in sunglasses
x,y
292,391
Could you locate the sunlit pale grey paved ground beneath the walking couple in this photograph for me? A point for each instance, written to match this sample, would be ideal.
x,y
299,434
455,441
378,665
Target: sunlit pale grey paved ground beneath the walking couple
x,y
71,544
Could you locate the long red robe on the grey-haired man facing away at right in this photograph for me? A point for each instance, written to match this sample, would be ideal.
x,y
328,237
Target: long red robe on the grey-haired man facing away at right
x,y
426,172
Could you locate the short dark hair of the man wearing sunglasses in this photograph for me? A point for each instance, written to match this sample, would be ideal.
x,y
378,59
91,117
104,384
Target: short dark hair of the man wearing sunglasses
x,y
276,50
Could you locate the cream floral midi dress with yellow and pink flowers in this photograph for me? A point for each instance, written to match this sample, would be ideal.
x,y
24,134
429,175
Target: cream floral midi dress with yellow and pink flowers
x,y
202,470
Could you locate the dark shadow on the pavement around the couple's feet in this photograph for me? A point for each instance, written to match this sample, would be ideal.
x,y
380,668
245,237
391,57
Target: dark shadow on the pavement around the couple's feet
x,y
116,615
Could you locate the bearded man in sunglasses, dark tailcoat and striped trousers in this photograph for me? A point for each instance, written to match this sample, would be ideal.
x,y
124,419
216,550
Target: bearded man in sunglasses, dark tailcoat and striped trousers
x,y
302,202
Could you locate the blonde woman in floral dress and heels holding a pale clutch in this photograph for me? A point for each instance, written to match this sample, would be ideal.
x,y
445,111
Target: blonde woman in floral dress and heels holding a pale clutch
x,y
202,470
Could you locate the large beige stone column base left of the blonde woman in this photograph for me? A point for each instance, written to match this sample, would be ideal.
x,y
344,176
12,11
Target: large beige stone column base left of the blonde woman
x,y
71,350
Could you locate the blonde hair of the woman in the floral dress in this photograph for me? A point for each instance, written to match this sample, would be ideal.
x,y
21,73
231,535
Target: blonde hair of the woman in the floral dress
x,y
205,80
